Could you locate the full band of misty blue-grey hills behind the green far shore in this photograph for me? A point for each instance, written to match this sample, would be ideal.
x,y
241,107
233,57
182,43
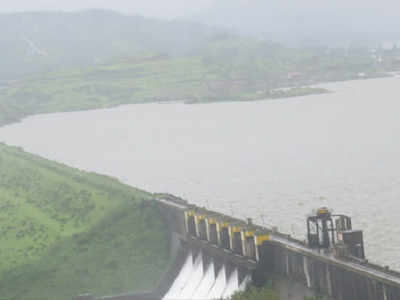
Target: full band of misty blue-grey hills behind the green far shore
x,y
40,42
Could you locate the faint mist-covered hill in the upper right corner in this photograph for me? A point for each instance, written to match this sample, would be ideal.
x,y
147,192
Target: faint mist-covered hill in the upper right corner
x,y
308,22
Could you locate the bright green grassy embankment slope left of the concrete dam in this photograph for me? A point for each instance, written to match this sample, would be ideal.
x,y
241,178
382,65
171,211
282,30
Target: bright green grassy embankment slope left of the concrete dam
x,y
65,232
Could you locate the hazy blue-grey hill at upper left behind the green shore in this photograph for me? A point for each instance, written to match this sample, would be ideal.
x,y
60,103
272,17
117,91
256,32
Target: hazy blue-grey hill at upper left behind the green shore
x,y
37,42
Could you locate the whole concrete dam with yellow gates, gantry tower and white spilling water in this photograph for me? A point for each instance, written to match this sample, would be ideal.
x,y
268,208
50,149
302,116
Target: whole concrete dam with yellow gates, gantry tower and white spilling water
x,y
214,255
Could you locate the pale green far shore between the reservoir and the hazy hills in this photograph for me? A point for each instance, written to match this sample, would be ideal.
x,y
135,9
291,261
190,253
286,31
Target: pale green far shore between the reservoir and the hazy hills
x,y
228,68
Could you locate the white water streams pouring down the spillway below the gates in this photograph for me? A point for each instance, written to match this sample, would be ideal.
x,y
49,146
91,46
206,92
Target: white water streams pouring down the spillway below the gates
x,y
200,278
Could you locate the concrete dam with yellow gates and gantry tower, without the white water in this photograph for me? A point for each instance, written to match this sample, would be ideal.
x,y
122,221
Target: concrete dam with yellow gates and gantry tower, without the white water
x,y
330,269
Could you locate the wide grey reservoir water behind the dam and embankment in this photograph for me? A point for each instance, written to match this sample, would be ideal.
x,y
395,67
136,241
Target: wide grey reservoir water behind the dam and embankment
x,y
277,158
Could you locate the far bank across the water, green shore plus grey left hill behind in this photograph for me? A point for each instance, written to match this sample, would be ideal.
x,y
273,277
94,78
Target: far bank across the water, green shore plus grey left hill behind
x,y
137,60
